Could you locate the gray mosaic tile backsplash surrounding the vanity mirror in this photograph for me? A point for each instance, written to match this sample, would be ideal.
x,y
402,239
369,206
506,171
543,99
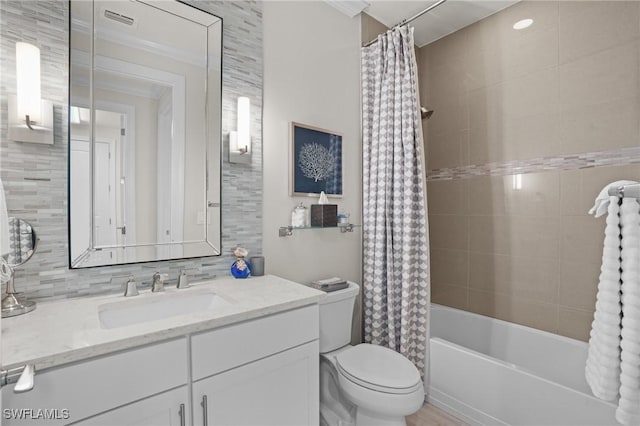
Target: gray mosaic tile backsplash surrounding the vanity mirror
x,y
35,176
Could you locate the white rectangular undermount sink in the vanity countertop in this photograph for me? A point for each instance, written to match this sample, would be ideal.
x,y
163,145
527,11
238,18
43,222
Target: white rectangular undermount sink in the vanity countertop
x,y
155,307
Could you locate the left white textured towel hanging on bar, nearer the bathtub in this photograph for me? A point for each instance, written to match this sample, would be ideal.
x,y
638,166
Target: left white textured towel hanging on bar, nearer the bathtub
x,y
602,369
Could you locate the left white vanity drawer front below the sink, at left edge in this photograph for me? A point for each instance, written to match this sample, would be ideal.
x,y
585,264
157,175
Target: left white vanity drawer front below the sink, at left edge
x,y
91,387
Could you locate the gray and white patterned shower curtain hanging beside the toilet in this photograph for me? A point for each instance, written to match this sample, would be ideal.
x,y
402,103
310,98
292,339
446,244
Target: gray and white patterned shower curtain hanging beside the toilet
x,y
396,293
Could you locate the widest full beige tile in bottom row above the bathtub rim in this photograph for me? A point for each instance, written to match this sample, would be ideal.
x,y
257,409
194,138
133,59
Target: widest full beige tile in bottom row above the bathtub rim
x,y
543,316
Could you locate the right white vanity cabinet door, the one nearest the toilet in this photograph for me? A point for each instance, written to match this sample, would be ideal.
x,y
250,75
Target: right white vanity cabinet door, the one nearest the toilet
x,y
278,390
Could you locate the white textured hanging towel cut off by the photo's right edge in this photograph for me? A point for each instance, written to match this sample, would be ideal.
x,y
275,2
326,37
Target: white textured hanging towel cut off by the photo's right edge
x,y
628,411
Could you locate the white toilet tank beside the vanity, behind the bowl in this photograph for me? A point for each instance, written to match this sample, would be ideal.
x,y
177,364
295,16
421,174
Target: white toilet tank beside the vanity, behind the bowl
x,y
336,313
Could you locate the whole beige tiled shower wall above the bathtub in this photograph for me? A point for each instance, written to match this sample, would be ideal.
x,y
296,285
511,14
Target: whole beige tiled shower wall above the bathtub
x,y
558,104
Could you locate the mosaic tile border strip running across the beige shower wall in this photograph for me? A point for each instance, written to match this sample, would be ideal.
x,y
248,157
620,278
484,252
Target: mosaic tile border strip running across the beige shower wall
x,y
624,156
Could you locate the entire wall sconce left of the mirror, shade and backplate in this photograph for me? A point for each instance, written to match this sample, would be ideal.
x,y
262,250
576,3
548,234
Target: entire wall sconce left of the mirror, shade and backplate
x,y
30,118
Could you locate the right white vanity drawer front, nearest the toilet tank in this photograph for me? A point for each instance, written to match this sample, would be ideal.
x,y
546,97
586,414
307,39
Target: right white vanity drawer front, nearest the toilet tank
x,y
227,347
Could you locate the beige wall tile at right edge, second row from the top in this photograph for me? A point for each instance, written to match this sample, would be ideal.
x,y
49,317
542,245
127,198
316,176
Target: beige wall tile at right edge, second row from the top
x,y
605,76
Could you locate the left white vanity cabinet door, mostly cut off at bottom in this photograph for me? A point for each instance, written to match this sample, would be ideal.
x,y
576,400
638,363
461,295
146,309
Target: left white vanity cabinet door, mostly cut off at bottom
x,y
166,409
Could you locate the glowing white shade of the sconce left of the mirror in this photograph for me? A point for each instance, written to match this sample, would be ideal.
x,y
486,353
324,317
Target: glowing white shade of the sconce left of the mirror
x,y
28,81
